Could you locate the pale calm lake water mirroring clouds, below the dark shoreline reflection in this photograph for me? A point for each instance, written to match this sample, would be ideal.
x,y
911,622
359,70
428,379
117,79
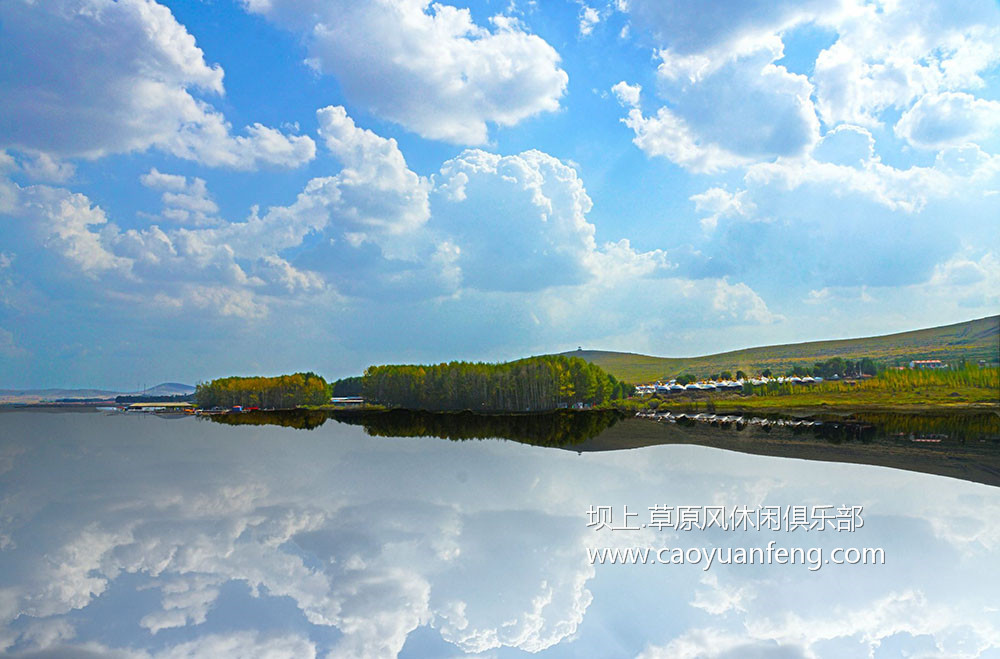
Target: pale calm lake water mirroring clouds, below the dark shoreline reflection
x,y
145,536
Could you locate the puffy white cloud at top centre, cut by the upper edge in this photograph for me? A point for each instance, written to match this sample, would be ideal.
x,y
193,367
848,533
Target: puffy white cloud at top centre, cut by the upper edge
x,y
429,68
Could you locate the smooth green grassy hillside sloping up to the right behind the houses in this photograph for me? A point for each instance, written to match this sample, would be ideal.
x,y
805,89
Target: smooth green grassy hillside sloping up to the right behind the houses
x,y
971,340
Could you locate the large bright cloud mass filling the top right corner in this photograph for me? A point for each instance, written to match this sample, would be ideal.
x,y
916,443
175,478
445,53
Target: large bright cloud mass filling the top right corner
x,y
721,60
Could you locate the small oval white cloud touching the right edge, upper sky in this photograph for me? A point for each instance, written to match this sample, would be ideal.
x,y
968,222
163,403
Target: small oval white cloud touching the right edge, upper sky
x,y
949,119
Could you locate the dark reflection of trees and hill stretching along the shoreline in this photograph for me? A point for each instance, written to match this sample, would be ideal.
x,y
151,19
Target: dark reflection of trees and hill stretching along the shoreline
x,y
960,445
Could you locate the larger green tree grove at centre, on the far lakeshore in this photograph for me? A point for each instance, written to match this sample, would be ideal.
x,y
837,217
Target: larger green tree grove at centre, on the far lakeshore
x,y
526,385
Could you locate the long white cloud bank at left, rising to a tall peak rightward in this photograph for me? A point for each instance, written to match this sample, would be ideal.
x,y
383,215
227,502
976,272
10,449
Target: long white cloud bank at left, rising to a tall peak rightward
x,y
239,269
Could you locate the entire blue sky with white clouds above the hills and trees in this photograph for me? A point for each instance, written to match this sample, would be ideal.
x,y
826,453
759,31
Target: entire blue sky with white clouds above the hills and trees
x,y
196,189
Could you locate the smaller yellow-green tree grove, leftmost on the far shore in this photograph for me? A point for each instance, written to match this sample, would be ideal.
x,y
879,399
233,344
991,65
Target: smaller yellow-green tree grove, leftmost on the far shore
x,y
280,392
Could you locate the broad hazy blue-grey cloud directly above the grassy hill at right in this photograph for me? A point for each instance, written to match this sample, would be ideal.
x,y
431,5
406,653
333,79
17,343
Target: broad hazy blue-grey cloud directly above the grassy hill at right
x,y
842,205
